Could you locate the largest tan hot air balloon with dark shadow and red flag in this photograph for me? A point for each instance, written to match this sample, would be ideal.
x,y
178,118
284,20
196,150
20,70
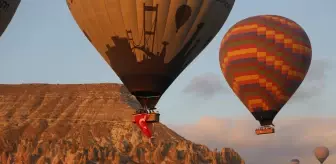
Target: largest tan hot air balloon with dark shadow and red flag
x,y
149,43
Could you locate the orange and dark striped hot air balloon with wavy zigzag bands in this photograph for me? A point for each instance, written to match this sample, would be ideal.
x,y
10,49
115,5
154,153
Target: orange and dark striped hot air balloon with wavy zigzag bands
x,y
264,59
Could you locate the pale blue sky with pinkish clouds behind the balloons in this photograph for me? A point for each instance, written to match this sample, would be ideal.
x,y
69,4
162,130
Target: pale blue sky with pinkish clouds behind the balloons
x,y
43,44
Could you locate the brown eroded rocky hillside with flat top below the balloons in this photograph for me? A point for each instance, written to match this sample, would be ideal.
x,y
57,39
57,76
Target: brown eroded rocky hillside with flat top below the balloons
x,y
91,123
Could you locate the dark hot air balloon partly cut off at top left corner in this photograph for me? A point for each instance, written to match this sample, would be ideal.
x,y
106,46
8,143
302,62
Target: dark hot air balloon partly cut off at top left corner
x,y
7,11
